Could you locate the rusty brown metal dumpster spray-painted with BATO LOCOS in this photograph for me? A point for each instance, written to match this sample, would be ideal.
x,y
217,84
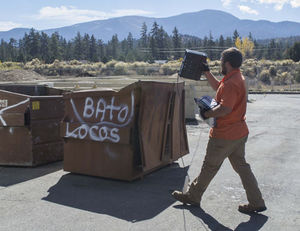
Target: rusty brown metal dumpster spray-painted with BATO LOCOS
x,y
124,134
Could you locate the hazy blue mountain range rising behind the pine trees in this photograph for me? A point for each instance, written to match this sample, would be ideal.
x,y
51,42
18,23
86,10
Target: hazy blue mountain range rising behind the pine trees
x,y
198,24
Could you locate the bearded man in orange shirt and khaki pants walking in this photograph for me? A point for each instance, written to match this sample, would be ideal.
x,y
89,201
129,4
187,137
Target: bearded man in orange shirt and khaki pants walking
x,y
228,137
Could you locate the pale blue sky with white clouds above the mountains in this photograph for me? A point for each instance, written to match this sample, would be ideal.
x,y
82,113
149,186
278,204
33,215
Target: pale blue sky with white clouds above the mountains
x,y
41,14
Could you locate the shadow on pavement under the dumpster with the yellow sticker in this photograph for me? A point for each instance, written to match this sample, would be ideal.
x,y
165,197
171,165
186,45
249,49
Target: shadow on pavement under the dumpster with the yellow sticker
x,y
15,175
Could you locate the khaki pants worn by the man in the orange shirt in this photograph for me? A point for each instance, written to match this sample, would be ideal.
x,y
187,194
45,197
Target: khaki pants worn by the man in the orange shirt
x,y
217,150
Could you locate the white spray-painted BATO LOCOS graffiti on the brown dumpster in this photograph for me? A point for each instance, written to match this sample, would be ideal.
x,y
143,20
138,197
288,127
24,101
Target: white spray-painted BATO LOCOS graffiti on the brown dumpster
x,y
110,118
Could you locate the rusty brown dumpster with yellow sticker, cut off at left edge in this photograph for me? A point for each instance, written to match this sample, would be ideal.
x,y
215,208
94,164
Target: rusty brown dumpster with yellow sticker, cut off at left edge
x,y
30,117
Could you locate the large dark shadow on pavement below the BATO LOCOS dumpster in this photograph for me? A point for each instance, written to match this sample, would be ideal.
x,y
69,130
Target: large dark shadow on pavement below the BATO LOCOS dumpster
x,y
130,201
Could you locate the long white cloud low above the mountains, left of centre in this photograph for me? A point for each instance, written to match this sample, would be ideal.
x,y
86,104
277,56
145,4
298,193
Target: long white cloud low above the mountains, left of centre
x,y
70,14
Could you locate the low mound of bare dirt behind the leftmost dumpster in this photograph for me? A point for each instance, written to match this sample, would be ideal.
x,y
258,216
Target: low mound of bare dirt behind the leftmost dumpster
x,y
19,75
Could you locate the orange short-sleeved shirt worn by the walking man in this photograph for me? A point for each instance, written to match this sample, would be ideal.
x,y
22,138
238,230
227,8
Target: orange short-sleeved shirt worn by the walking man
x,y
232,93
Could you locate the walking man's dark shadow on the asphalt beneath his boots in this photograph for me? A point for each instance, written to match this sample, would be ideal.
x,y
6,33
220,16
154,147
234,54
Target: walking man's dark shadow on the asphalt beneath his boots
x,y
255,223
